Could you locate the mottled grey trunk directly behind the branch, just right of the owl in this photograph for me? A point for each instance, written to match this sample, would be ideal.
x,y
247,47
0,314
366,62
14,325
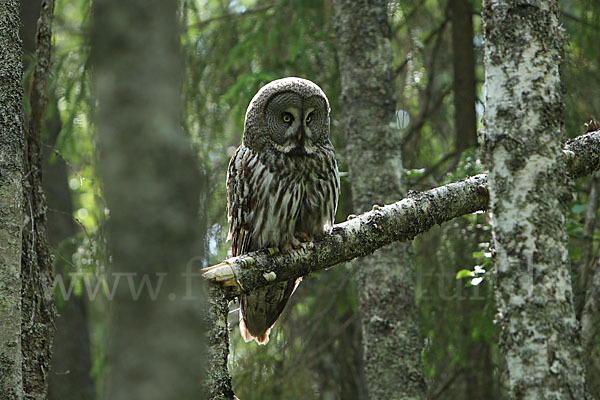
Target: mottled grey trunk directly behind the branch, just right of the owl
x,y
391,342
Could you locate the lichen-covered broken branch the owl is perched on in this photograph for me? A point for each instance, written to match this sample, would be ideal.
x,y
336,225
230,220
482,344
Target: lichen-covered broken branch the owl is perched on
x,y
367,232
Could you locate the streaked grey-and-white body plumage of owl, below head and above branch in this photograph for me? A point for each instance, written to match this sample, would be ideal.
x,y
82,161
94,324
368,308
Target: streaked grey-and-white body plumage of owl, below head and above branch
x,y
295,194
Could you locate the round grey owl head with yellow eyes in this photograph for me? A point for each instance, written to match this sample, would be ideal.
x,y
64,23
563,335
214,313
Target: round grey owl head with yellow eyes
x,y
290,116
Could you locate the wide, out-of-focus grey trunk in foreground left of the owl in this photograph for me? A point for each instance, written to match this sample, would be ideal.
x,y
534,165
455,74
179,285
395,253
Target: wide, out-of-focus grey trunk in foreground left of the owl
x,y
152,189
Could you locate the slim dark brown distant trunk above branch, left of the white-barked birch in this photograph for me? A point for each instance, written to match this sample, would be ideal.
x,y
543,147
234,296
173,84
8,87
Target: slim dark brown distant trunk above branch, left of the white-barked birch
x,y
463,62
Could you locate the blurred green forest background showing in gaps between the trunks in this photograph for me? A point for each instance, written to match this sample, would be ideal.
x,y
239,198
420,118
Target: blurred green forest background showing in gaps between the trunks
x,y
229,49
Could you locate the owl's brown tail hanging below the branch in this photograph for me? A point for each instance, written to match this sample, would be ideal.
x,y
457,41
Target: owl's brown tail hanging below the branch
x,y
261,309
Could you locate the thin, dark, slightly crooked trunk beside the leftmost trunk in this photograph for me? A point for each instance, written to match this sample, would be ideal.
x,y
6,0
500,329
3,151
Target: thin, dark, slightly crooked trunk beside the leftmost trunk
x,y
38,309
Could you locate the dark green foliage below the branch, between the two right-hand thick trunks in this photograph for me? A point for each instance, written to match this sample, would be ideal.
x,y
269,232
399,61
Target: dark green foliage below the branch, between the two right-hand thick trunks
x,y
457,319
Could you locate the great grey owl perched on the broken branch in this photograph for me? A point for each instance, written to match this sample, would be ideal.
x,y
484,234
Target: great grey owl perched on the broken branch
x,y
282,187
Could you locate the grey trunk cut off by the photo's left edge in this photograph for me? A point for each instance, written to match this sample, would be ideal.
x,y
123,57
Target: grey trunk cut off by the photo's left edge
x,y
11,200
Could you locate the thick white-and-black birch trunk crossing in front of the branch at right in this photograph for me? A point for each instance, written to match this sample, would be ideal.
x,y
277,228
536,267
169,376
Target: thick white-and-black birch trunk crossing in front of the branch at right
x,y
528,192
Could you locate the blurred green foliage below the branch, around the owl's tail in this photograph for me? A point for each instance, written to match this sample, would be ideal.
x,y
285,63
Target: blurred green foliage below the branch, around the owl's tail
x,y
314,345
